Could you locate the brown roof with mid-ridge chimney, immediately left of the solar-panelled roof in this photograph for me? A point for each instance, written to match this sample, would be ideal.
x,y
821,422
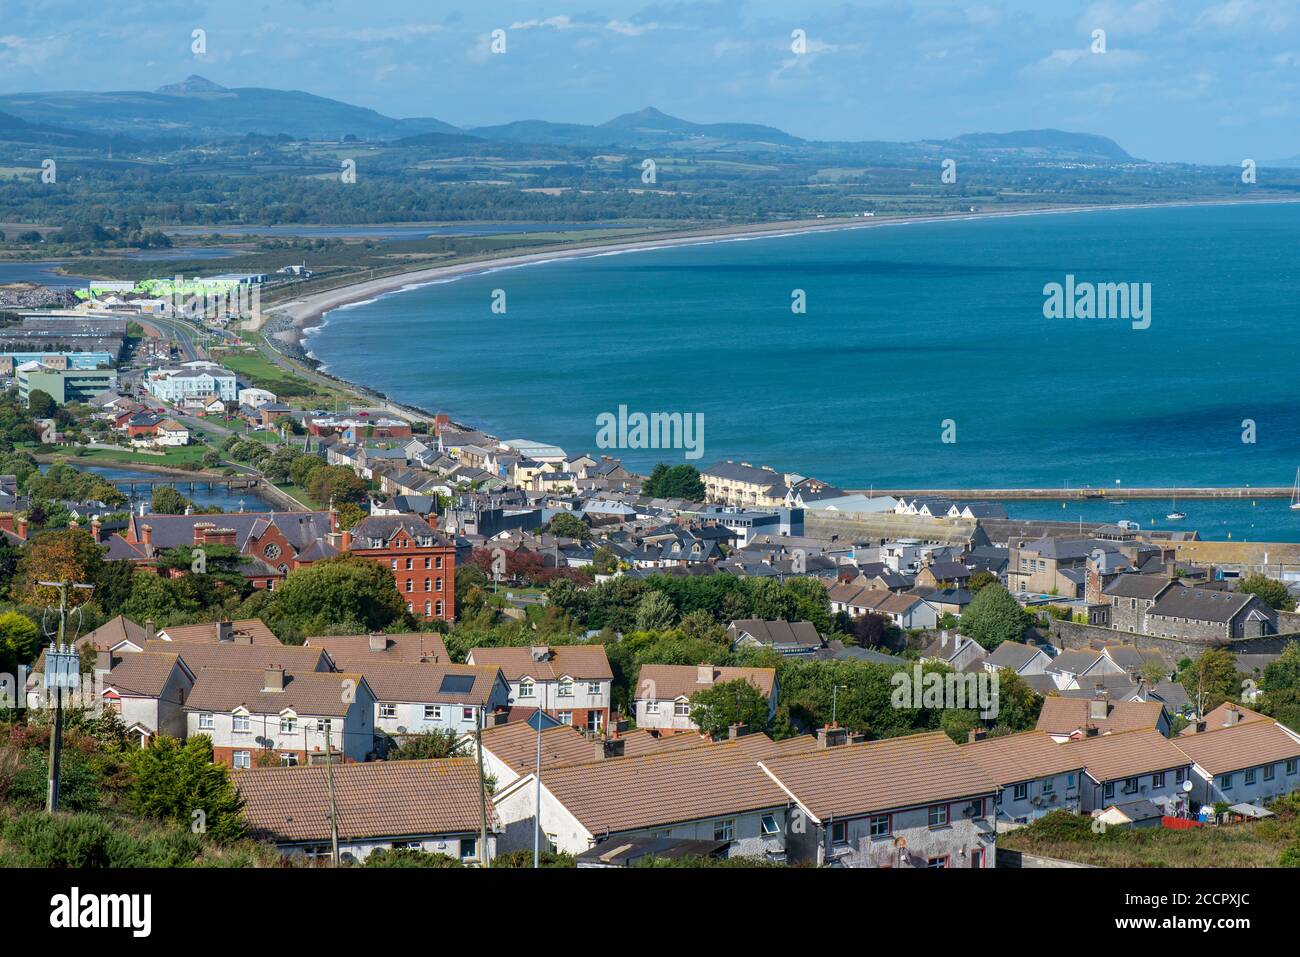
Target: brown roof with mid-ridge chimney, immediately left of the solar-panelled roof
x,y
307,694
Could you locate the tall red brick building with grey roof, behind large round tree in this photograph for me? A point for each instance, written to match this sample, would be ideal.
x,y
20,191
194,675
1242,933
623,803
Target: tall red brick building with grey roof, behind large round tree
x,y
423,561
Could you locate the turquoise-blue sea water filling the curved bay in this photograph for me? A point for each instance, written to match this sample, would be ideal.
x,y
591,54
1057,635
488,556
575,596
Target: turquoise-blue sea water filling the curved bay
x,y
907,327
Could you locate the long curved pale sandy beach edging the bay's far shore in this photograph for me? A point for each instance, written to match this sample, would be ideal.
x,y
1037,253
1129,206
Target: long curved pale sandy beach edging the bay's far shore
x,y
307,311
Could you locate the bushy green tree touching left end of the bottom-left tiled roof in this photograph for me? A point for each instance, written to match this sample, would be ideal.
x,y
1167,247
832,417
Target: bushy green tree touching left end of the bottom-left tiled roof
x,y
176,781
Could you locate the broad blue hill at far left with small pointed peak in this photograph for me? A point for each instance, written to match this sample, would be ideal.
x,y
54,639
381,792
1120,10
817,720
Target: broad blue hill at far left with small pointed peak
x,y
201,109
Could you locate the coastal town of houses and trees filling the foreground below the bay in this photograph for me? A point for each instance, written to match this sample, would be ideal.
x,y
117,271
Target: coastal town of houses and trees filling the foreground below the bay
x,y
427,644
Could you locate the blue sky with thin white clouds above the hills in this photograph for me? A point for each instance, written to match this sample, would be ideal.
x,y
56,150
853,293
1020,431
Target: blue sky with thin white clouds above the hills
x,y
1198,81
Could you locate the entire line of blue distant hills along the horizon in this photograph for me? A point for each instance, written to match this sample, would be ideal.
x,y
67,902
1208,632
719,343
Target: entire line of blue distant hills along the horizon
x,y
197,109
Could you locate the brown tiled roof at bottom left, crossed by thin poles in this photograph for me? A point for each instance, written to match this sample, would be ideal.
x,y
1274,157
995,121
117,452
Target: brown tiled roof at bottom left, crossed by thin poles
x,y
379,799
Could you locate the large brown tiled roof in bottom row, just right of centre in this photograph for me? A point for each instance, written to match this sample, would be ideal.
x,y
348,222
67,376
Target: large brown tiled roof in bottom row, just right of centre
x,y
883,776
